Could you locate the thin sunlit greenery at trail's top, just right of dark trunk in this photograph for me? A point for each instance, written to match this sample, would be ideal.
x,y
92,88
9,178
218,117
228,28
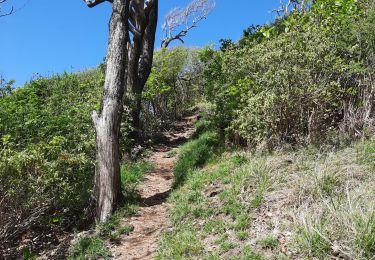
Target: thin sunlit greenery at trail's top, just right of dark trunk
x,y
172,88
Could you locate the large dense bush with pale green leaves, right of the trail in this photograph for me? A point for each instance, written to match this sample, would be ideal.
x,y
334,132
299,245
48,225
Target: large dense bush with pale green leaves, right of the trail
x,y
306,75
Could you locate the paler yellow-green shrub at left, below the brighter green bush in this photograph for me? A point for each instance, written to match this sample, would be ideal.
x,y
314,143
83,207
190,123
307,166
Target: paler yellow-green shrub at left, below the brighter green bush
x,y
45,175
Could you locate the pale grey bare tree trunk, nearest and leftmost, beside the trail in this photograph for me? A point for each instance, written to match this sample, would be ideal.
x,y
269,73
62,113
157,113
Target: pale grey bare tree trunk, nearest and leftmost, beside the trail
x,y
107,191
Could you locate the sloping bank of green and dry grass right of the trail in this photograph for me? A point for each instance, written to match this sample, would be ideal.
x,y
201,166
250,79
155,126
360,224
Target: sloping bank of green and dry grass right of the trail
x,y
302,204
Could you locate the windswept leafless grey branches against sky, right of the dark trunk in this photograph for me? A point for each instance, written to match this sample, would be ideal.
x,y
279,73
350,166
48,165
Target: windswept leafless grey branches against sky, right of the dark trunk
x,y
179,21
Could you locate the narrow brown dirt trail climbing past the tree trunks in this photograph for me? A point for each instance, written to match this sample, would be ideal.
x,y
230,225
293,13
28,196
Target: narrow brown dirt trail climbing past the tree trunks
x,y
152,218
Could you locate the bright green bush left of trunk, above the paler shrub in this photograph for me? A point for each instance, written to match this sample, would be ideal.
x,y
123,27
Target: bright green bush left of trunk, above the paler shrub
x,y
45,108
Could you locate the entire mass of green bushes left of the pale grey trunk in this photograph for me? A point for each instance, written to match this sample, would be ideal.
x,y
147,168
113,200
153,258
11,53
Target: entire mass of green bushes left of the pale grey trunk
x,y
47,155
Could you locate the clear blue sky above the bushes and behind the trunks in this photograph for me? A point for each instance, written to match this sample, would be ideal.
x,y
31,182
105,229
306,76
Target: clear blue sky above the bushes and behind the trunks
x,y
52,36
